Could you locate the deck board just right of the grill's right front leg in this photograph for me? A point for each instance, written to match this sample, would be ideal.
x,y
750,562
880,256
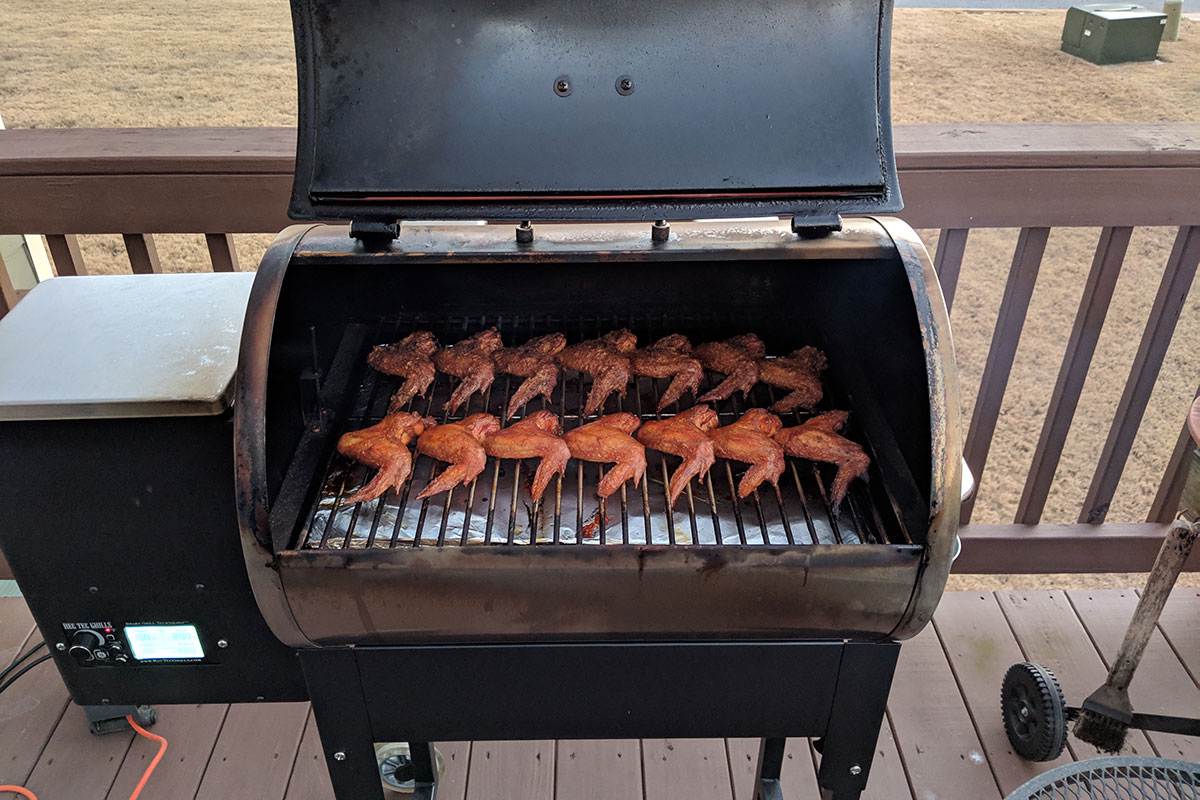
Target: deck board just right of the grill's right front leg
x,y
925,700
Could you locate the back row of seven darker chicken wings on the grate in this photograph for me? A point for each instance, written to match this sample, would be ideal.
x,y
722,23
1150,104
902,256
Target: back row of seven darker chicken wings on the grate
x,y
611,362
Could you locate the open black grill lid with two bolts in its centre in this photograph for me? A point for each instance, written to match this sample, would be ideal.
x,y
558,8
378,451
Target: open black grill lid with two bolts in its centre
x,y
615,110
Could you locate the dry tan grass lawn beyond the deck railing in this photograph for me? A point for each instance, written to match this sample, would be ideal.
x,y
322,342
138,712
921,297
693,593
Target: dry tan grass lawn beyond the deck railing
x,y
230,63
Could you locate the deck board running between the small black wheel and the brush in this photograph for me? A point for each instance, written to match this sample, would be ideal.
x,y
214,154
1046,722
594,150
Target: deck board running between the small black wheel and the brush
x,y
1052,635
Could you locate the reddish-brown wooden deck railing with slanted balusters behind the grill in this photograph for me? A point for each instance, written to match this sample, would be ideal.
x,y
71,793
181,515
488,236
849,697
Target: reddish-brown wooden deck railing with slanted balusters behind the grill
x,y
140,183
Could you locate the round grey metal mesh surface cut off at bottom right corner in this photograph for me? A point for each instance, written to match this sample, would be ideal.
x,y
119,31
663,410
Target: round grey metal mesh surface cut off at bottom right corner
x,y
1118,778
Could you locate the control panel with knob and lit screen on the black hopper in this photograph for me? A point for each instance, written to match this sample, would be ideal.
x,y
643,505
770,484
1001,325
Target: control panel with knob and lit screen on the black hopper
x,y
107,645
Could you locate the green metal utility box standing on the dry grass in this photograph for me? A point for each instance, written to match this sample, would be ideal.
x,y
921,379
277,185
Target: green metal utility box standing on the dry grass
x,y
1113,33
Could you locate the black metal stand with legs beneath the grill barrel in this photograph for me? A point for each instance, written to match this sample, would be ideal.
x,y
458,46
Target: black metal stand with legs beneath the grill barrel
x,y
835,691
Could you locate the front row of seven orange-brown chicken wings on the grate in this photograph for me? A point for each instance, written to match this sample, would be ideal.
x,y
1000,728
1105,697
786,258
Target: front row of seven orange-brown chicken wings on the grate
x,y
758,438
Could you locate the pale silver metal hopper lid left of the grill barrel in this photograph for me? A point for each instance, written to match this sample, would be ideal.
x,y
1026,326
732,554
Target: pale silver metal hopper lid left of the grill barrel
x,y
123,346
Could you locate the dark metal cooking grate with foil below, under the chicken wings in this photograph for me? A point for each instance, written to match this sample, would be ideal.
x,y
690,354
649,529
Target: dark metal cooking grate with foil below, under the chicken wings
x,y
497,510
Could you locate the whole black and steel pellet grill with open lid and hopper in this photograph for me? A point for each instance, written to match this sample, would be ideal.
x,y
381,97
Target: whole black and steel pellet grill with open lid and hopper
x,y
705,169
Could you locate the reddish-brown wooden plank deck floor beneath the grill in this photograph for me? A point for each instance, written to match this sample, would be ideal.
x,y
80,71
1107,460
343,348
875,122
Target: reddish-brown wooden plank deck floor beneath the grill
x,y
944,739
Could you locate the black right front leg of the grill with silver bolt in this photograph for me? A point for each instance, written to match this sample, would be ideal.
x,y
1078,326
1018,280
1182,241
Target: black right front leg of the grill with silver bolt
x,y
859,706
